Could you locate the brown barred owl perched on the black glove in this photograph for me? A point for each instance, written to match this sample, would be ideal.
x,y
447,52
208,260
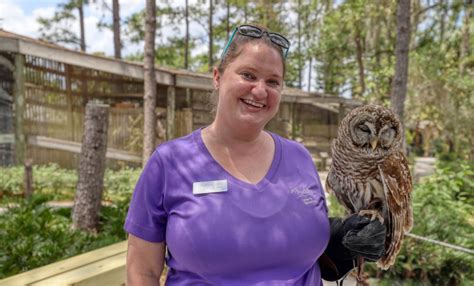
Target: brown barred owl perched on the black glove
x,y
369,174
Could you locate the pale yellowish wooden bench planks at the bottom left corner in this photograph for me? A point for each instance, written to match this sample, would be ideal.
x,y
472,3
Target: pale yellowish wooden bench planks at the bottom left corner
x,y
103,267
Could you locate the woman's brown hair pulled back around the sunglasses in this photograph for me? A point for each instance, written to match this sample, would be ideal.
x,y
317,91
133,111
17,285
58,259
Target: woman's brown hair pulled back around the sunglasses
x,y
235,48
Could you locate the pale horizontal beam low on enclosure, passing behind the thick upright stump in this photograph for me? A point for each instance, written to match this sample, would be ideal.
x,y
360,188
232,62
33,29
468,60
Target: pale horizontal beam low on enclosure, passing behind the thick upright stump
x,y
75,147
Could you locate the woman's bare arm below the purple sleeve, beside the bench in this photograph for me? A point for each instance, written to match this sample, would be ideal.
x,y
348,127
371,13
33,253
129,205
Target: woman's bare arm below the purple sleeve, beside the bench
x,y
145,261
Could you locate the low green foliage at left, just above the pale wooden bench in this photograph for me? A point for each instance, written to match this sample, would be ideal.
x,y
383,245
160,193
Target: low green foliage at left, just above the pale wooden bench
x,y
34,235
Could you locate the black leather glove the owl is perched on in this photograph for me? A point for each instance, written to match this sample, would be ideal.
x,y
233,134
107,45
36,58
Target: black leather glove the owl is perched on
x,y
354,236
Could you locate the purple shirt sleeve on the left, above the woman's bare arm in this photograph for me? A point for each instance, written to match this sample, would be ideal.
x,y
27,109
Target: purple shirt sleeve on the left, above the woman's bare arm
x,y
146,216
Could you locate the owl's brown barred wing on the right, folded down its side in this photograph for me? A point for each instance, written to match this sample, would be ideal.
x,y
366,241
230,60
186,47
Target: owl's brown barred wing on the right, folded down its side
x,y
397,183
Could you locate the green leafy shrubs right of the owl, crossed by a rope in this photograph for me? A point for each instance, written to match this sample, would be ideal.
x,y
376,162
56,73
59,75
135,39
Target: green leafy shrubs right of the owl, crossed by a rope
x,y
443,208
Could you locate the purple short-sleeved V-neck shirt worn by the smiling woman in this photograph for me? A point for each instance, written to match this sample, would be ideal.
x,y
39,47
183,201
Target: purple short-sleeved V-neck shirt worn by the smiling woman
x,y
270,233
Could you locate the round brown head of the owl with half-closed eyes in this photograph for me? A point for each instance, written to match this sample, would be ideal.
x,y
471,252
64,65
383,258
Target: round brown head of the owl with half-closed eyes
x,y
374,128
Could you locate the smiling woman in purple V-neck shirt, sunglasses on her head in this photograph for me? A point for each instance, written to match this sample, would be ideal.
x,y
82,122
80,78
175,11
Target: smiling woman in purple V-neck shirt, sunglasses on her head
x,y
233,203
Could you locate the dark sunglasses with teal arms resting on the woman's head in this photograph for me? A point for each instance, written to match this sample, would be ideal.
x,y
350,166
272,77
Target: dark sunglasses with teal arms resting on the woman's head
x,y
256,32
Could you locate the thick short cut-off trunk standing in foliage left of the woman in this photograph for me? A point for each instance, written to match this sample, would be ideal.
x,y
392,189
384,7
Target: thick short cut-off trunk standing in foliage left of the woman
x,y
88,198
